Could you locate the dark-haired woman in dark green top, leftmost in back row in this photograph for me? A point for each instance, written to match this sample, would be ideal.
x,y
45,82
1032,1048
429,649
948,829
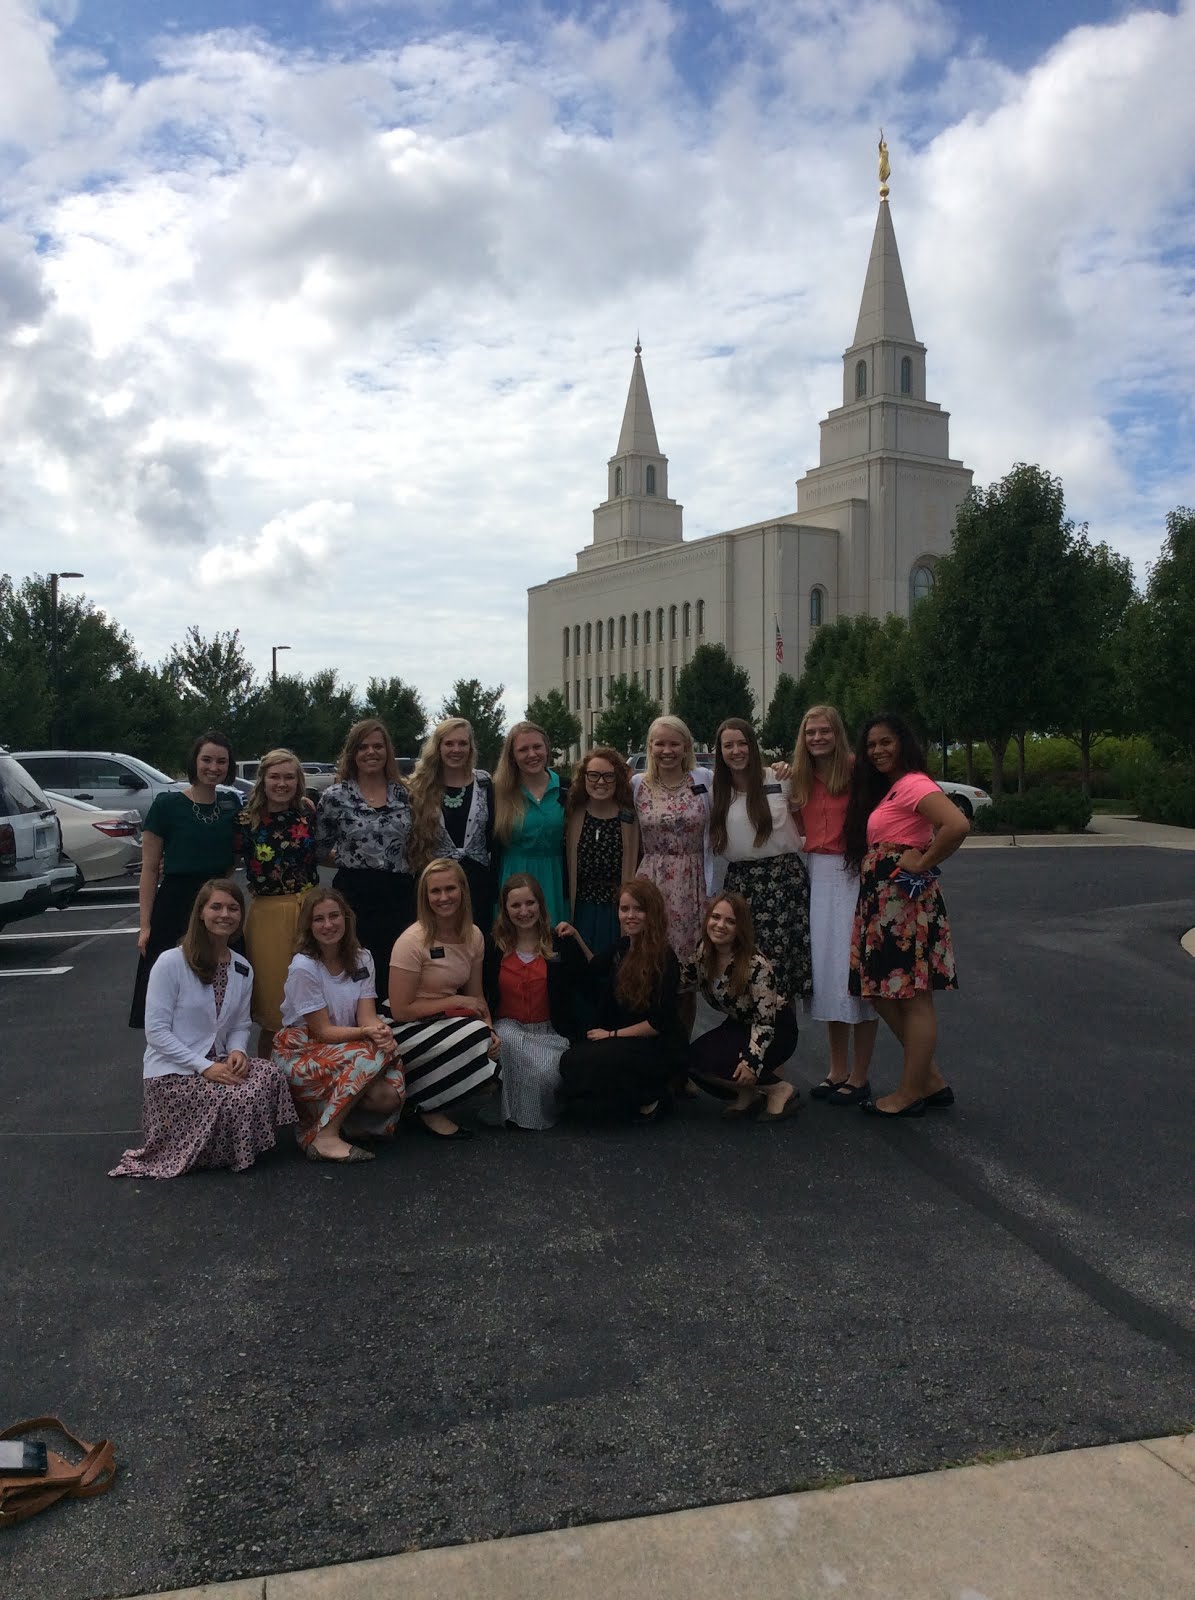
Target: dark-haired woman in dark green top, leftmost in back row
x,y
186,841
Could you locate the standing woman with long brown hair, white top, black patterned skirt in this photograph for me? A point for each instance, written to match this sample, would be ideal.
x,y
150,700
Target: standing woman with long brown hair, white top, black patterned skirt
x,y
753,828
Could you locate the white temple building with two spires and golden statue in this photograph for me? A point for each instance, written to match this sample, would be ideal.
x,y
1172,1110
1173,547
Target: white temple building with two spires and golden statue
x,y
871,521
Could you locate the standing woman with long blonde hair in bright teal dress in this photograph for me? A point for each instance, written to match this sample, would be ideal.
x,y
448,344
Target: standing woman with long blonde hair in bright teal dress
x,y
530,817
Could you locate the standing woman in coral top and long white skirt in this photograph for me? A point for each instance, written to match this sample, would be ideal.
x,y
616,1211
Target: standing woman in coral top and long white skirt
x,y
821,780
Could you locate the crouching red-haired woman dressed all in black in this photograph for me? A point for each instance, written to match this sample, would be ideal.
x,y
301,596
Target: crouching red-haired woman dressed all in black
x,y
626,1062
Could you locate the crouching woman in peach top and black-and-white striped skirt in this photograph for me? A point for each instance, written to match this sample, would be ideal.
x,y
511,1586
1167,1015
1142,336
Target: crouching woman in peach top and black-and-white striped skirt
x,y
441,1018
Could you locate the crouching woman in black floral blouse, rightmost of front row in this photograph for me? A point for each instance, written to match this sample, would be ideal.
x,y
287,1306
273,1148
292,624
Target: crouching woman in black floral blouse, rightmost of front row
x,y
748,1050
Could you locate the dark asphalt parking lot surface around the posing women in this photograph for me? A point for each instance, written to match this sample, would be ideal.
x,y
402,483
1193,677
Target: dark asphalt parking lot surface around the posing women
x,y
303,1366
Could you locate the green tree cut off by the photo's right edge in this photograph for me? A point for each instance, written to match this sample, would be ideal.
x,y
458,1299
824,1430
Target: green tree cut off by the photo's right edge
x,y
1162,631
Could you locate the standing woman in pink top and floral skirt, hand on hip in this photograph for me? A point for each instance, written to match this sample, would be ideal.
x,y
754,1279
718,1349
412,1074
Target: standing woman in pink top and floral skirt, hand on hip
x,y
900,826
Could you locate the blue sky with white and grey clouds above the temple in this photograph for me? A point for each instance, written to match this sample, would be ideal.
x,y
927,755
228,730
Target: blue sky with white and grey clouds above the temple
x,y
318,316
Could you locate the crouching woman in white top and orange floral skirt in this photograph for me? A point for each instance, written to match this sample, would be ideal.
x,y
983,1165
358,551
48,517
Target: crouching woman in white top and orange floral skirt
x,y
335,1050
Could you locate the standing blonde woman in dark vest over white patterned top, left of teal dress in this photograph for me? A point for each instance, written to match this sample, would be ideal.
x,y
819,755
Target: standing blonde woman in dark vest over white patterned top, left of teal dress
x,y
454,812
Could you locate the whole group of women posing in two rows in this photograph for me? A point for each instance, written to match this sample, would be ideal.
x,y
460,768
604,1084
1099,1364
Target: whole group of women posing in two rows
x,y
383,996
